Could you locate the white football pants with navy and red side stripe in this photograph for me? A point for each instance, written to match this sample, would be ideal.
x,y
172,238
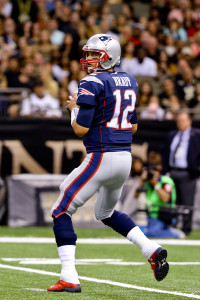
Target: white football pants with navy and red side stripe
x,y
102,172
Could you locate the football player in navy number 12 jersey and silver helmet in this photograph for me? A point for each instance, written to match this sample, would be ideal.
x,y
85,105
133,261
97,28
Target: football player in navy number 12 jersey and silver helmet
x,y
104,114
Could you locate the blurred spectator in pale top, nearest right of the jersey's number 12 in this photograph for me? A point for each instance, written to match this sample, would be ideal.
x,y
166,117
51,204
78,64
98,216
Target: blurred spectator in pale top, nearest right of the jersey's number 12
x,y
153,110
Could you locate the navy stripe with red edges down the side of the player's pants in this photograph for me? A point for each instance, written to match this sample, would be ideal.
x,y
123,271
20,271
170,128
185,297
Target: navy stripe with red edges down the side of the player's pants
x,y
71,191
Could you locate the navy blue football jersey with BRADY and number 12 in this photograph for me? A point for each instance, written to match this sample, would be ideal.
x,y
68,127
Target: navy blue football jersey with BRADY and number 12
x,y
113,96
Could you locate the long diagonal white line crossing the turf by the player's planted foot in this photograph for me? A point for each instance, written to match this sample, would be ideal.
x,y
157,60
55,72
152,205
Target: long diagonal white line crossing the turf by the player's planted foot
x,y
130,286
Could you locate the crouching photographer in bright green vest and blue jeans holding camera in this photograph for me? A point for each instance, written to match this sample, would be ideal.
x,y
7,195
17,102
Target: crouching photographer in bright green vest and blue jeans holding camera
x,y
160,194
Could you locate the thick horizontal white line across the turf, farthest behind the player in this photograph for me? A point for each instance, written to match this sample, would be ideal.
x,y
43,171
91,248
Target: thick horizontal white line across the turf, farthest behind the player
x,y
96,241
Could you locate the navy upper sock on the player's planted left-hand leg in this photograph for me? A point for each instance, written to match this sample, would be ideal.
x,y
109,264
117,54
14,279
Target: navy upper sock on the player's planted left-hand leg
x,y
64,231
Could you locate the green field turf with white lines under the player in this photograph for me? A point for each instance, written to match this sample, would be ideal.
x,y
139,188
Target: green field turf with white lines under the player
x,y
14,283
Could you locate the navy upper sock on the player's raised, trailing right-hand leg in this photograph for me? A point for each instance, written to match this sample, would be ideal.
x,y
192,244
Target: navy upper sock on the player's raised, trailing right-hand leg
x,y
120,222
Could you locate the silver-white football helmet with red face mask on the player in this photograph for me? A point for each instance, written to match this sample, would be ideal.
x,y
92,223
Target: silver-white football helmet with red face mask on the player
x,y
109,53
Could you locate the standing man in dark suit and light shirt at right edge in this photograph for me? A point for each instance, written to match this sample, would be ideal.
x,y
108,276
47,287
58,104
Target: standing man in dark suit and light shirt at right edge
x,y
181,157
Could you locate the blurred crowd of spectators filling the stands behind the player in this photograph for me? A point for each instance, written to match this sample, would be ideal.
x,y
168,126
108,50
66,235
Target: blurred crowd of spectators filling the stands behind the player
x,y
41,45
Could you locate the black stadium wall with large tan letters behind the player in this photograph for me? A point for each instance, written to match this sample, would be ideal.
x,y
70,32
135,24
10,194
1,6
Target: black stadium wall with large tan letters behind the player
x,y
40,146
